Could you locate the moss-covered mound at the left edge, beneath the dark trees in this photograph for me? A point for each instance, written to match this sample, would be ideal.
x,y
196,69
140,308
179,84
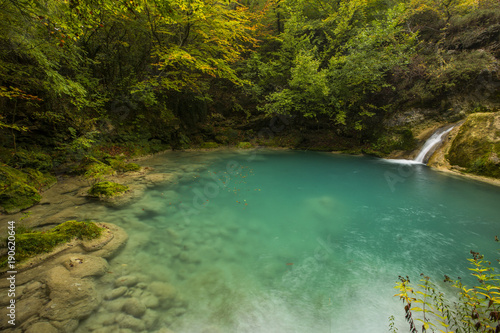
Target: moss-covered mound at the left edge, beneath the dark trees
x,y
19,190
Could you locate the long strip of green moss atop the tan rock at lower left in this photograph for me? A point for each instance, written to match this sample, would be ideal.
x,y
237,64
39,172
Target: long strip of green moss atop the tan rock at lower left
x,y
30,244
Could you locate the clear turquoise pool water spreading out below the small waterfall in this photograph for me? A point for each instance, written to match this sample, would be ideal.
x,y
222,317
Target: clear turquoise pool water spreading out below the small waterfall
x,y
278,241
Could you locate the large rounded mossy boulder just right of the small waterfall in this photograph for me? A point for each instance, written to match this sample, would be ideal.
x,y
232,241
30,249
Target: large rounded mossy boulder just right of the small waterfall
x,y
477,145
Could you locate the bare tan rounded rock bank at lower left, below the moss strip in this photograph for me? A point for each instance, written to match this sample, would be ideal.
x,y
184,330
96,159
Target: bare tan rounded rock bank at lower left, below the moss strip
x,y
53,295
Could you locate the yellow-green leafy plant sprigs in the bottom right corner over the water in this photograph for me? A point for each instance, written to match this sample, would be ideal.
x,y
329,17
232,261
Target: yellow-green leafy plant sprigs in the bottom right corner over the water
x,y
477,308
